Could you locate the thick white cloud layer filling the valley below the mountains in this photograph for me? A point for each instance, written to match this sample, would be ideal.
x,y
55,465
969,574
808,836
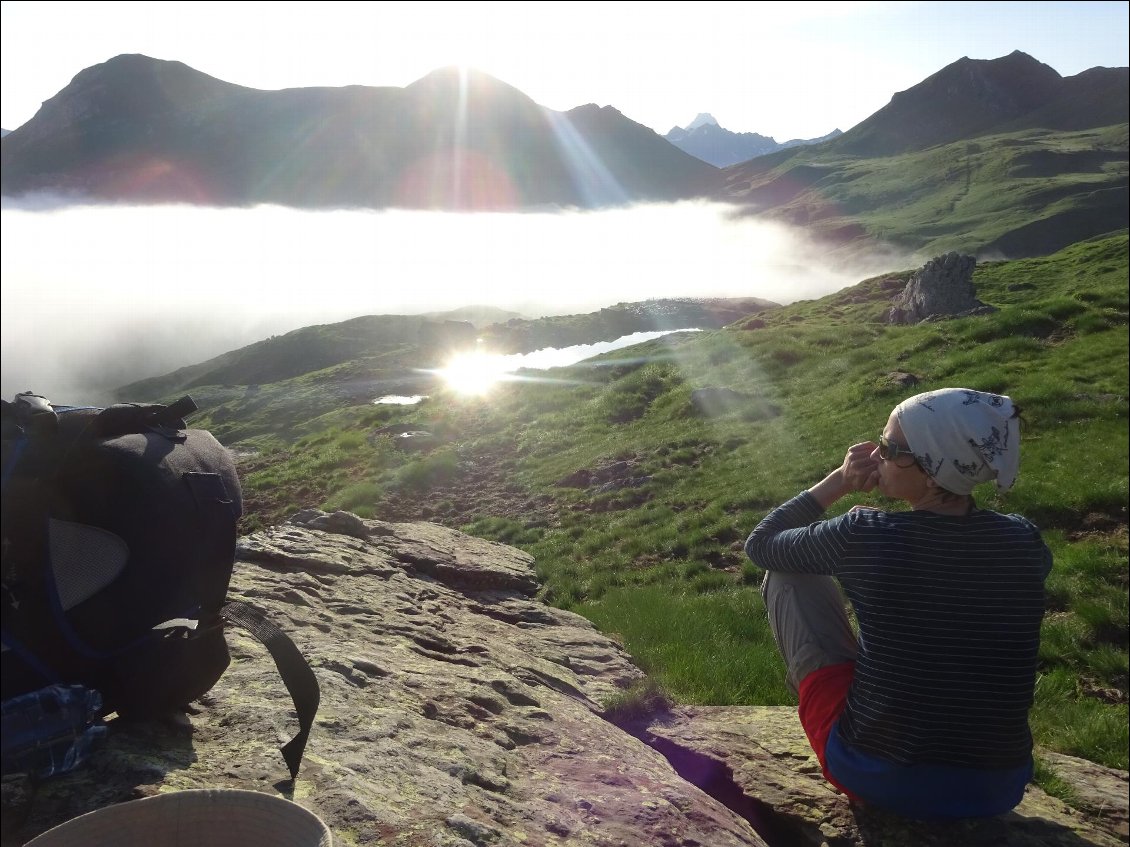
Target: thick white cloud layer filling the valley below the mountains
x,y
98,296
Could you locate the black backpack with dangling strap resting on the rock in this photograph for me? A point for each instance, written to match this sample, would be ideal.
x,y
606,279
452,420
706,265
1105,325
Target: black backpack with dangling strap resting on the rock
x,y
119,542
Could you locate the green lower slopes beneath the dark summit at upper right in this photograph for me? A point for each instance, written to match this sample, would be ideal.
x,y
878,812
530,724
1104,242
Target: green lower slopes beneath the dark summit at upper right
x,y
1022,194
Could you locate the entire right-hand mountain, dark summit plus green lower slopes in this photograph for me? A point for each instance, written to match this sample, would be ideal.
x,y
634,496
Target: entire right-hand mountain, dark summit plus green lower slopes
x,y
997,158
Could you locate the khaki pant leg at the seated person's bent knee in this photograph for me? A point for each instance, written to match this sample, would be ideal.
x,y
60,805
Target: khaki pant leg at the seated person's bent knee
x,y
810,623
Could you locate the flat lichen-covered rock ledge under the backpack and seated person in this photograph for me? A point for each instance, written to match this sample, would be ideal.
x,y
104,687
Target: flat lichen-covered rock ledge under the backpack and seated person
x,y
458,711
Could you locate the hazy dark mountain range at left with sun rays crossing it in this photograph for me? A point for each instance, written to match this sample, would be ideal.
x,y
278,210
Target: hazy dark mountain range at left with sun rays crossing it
x,y
142,129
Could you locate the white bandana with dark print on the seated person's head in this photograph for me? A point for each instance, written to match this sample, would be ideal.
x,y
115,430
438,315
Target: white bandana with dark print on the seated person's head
x,y
963,438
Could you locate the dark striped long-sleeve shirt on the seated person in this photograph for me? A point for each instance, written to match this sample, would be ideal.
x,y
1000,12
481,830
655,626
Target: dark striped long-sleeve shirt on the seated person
x,y
949,610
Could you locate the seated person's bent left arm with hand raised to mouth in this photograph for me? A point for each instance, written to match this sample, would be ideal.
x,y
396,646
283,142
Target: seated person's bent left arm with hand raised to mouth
x,y
794,538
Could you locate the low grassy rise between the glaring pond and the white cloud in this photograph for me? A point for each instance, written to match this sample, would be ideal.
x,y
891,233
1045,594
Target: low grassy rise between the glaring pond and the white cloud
x,y
385,353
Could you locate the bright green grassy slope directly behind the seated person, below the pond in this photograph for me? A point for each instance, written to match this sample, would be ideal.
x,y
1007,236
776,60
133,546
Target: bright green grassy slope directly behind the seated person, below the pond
x,y
636,477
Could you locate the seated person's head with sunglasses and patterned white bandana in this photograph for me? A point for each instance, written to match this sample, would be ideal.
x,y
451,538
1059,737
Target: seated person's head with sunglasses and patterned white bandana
x,y
948,442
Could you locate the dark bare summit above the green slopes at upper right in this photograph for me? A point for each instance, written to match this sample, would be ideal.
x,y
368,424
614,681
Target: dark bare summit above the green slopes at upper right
x,y
976,98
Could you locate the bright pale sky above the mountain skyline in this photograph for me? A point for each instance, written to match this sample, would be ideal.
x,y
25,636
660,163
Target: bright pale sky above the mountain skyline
x,y
781,69
